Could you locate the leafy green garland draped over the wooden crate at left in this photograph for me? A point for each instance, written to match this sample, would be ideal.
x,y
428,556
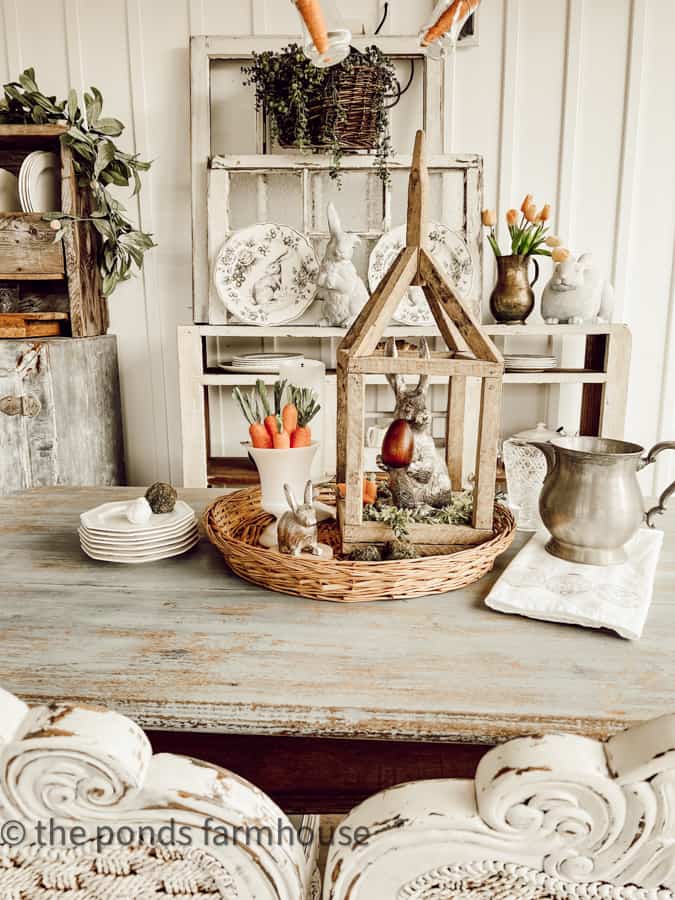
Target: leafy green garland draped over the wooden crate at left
x,y
99,164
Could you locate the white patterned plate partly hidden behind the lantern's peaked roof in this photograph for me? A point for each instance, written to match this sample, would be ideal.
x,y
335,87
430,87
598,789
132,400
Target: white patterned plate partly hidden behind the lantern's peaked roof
x,y
449,251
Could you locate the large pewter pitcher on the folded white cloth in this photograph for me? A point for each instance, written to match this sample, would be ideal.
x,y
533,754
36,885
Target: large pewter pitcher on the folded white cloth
x,y
591,500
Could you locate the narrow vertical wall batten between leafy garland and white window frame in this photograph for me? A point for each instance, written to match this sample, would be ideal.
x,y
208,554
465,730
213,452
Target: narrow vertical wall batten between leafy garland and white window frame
x,y
158,342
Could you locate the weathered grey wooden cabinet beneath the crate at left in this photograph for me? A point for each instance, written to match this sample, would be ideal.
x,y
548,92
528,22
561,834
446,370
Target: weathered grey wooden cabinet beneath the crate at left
x,y
60,419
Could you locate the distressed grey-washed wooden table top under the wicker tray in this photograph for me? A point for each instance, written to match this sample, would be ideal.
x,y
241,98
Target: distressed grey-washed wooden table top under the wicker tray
x,y
184,645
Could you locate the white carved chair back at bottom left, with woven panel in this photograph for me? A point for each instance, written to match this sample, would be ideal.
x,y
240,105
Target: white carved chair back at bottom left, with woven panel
x,y
88,813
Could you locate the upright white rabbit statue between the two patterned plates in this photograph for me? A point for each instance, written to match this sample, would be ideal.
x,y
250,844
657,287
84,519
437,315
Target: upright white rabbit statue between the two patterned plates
x,y
339,285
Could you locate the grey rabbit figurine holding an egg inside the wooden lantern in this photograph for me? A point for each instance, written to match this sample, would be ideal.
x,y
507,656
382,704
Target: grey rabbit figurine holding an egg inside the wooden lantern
x,y
425,480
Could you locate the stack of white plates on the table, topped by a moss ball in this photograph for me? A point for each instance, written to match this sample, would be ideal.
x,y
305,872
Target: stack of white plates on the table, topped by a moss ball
x,y
108,535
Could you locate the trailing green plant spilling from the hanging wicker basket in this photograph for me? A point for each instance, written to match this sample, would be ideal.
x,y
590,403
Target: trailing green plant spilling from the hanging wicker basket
x,y
288,87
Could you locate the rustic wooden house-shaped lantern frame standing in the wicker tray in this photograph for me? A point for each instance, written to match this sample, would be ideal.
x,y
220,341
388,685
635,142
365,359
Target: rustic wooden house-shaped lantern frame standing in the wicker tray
x,y
359,357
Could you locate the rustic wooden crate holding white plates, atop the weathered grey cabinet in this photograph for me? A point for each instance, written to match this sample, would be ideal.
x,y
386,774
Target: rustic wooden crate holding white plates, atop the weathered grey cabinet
x,y
50,277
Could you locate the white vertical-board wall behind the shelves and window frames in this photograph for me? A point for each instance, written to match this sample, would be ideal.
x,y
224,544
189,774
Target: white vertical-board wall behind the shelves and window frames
x,y
569,99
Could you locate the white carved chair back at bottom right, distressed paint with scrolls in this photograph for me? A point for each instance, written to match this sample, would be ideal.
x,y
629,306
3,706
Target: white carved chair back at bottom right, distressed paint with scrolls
x,y
558,816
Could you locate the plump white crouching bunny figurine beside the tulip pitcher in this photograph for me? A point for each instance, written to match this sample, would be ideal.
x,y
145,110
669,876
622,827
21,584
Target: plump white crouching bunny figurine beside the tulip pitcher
x,y
577,293
